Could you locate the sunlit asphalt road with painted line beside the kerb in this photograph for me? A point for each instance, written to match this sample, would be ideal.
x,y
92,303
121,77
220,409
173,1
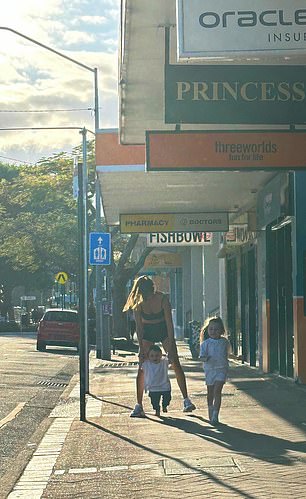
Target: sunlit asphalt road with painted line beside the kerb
x,y
31,383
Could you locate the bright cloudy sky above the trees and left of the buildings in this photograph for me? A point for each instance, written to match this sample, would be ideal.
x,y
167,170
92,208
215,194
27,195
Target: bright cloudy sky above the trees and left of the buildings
x,y
41,89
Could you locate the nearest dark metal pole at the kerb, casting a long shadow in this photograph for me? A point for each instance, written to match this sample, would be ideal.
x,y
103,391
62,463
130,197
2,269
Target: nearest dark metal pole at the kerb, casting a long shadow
x,y
82,350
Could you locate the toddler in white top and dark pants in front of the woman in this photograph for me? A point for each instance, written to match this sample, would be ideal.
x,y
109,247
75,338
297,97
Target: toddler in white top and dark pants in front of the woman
x,y
156,379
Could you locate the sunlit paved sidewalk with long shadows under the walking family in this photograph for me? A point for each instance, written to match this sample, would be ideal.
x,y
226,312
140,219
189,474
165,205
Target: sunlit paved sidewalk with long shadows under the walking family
x,y
258,452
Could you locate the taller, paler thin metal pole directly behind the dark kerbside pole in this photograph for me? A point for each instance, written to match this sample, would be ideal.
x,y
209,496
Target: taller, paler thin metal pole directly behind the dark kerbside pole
x,y
85,258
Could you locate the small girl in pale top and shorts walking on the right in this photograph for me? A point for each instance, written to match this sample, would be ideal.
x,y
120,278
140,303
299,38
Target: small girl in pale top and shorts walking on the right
x,y
214,352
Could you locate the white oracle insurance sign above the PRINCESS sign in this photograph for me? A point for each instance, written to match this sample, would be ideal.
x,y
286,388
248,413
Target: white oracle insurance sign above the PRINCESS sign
x,y
218,28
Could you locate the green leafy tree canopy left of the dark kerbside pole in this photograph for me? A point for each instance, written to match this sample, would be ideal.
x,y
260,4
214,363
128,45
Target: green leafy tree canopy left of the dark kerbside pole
x,y
38,223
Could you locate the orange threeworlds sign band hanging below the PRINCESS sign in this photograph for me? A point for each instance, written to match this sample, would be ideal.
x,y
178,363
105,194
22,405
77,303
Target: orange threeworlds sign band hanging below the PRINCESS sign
x,y
226,150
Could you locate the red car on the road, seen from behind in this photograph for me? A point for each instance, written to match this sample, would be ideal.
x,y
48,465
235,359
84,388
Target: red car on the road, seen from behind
x,y
58,327
